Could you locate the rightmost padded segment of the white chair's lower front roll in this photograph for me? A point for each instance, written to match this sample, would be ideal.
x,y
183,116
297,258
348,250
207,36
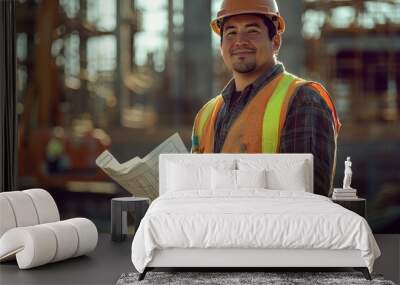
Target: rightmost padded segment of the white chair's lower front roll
x,y
87,235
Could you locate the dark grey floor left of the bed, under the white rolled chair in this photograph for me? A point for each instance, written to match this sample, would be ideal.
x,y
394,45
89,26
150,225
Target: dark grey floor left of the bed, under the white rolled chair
x,y
102,266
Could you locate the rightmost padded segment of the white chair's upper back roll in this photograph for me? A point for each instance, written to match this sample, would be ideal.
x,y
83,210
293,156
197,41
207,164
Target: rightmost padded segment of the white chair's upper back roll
x,y
45,205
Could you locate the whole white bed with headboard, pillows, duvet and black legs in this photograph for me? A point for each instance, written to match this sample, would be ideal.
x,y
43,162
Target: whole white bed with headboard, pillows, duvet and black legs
x,y
209,226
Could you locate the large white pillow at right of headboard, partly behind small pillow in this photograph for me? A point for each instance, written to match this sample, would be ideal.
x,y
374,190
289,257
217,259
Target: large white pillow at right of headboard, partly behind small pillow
x,y
281,175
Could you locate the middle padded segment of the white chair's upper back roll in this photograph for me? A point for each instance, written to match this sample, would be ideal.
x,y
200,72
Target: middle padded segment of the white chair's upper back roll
x,y
23,208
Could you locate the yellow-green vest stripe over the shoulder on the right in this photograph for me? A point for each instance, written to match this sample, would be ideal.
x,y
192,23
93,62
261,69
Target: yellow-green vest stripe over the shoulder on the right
x,y
270,127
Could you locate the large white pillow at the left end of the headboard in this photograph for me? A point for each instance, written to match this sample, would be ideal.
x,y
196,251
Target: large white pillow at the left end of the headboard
x,y
182,177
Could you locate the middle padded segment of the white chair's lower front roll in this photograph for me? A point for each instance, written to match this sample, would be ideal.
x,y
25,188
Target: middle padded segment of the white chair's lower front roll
x,y
67,239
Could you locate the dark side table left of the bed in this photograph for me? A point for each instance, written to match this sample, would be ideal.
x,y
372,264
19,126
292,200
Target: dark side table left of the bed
x,y
120,207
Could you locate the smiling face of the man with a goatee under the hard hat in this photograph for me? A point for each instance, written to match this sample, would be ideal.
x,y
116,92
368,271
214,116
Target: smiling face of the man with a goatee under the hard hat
x,y
246,46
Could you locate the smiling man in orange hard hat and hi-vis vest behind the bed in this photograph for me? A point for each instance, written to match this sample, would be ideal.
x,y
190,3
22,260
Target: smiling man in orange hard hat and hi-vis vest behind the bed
x,y
265,109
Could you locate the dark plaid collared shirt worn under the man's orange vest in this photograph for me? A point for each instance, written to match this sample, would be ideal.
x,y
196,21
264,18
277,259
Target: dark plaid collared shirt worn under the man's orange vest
x,y
308,127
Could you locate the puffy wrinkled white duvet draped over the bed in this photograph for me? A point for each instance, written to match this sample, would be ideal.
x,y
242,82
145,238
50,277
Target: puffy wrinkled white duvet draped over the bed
x,y
252,218
